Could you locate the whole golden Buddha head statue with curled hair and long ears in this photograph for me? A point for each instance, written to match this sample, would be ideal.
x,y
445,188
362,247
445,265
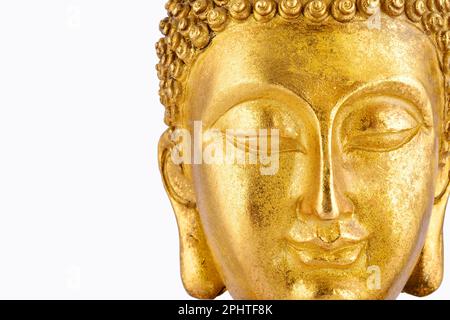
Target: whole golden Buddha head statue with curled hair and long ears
x,y
336,115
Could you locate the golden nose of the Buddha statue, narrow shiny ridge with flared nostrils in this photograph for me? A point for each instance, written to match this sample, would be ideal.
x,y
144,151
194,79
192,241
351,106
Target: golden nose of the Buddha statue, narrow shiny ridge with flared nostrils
x,y
326,199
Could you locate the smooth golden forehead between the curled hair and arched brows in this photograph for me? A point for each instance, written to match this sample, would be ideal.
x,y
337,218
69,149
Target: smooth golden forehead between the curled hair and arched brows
x,y
318,63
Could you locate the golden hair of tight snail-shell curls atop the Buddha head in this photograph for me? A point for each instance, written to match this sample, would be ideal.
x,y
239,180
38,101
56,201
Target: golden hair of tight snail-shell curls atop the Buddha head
x,y
192,24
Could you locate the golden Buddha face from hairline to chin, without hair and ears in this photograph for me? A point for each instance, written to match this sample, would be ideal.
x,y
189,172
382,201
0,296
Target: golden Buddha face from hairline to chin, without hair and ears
x,y
359,117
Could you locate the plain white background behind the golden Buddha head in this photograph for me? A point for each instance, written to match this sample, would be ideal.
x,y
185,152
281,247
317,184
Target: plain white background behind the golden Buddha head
x,y
83,213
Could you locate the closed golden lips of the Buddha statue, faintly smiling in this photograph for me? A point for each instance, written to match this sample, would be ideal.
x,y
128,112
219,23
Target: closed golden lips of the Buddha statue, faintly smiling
x,y
319,254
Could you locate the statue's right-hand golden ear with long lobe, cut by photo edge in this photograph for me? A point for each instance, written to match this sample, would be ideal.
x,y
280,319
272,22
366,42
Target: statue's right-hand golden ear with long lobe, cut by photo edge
x,y
428,273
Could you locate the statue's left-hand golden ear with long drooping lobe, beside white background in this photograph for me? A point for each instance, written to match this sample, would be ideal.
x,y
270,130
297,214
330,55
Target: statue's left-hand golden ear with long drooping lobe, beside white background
x,y
198,271
